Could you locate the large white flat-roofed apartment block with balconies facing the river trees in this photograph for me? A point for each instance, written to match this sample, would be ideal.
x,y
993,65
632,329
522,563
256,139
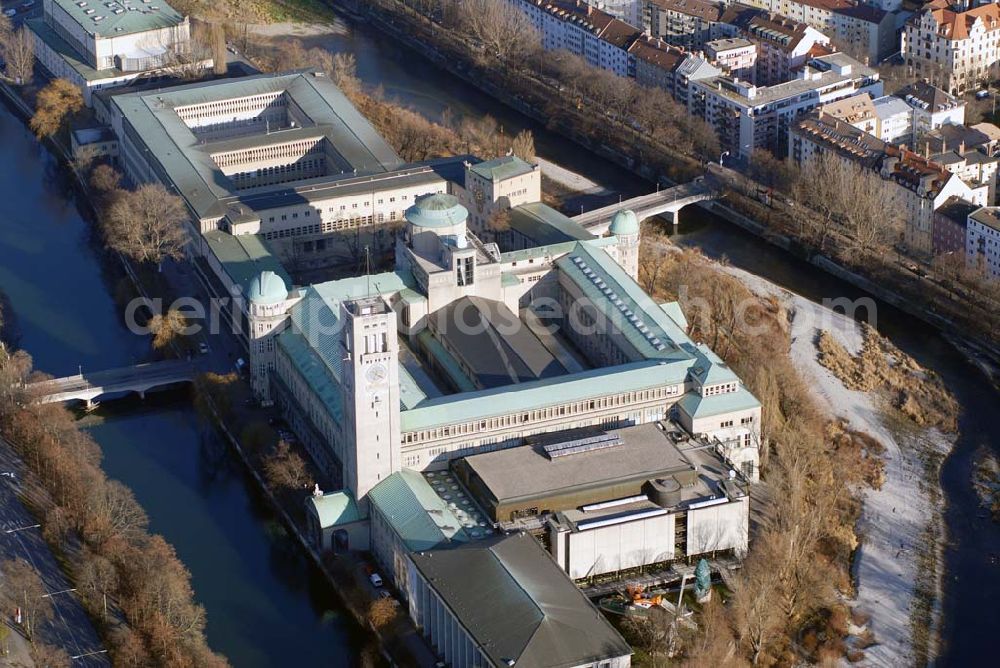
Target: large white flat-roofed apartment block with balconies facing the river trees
x,y
749,117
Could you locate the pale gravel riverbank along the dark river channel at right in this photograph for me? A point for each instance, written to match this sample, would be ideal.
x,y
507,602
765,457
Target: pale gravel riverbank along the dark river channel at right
x,y
897,567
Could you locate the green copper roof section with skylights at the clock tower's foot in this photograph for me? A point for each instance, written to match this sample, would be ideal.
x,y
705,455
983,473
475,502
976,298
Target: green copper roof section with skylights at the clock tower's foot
x,y
415,512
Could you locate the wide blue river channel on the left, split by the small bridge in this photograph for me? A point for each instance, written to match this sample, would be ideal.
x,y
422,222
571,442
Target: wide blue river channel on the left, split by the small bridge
x,y
265,603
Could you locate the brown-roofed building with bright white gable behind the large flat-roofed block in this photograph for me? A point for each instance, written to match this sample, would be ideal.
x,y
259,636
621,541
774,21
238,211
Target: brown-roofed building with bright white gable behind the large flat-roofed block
x,y
783,46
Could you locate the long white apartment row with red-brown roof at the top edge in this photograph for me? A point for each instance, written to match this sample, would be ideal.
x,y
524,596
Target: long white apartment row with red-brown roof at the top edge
x,y
582,29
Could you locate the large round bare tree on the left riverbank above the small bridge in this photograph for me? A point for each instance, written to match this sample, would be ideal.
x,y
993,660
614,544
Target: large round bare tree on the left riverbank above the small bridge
x,y
147,224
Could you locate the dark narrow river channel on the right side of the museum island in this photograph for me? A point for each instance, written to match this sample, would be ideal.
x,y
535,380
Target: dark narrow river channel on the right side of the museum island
x,y
972,576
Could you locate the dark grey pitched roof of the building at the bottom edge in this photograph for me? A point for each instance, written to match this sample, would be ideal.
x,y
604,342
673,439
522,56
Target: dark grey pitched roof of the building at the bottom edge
x,y
518,606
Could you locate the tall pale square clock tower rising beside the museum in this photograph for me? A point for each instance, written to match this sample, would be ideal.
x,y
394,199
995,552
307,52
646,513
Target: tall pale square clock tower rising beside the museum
x,y
370,389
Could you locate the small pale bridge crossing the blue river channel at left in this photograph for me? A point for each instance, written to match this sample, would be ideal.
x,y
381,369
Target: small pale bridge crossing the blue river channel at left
x,y
140,378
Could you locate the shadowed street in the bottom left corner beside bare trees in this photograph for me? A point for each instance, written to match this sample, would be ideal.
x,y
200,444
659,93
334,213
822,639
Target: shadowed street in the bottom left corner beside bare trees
x,y
69,628
